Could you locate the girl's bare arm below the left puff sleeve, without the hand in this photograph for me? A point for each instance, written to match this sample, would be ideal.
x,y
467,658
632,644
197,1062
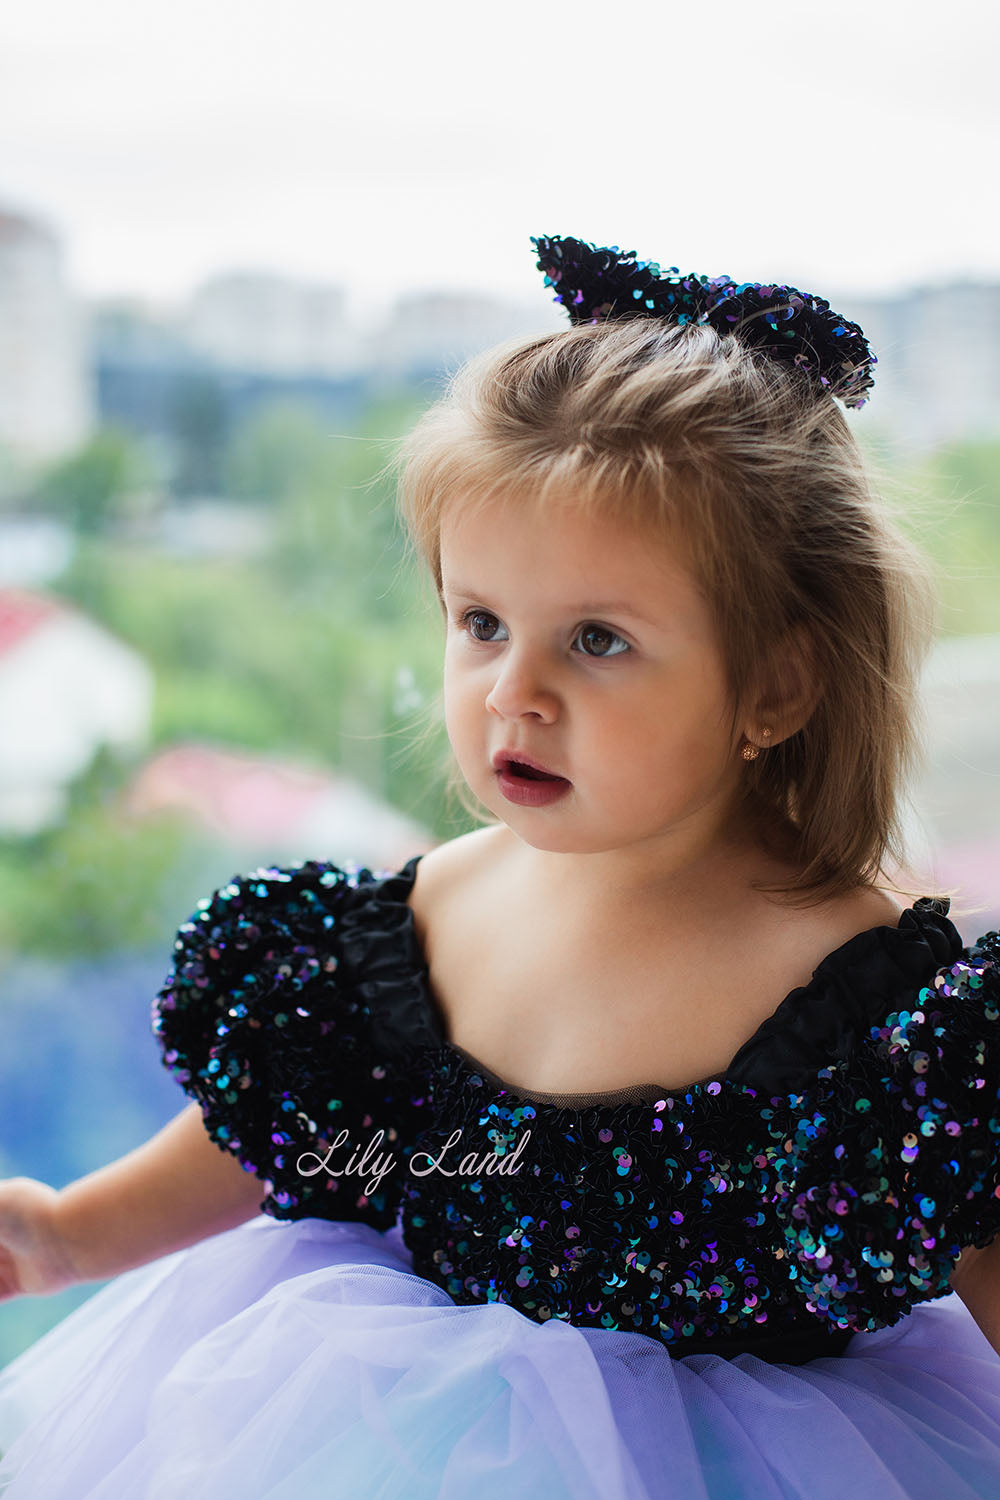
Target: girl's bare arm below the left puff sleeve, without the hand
x,y
164,1196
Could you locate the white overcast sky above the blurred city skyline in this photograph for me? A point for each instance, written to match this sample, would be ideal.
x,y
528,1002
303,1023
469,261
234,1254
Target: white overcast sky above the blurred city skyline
x,y
394,146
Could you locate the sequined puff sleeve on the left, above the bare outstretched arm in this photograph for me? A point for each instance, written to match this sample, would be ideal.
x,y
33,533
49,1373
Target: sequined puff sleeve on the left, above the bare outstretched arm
x,y
265,1024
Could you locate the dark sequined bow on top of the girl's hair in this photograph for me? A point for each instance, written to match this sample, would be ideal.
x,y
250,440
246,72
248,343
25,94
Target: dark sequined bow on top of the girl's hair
x,y
794,328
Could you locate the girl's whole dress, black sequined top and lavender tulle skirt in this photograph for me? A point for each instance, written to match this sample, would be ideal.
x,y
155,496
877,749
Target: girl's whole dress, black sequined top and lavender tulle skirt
x,y
454,1291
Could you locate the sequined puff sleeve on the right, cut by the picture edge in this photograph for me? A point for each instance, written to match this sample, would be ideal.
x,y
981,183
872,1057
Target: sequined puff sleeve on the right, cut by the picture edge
x,y
890,1165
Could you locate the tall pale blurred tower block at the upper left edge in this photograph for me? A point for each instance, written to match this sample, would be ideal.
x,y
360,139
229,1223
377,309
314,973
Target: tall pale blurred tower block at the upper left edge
x,y
46,385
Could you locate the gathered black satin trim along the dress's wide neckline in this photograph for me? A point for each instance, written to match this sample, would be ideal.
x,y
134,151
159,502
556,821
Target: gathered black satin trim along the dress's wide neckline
x,y
816,1025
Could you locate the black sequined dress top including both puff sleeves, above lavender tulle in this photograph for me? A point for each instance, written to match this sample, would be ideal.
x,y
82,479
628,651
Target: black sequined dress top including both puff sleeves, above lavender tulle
x,y
819,1187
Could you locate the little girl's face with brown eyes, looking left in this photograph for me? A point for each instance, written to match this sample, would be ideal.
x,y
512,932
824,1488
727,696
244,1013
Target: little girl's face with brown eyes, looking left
x,y
584,643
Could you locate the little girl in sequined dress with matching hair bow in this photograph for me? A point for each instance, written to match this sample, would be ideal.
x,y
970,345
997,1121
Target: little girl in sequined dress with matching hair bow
x,y
639,1145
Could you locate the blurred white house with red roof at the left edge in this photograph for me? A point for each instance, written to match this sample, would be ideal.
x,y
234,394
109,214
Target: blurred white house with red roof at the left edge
x,y
67,689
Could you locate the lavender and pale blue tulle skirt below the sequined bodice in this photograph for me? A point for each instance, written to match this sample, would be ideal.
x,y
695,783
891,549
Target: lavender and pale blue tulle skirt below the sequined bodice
x,y
307,1361
